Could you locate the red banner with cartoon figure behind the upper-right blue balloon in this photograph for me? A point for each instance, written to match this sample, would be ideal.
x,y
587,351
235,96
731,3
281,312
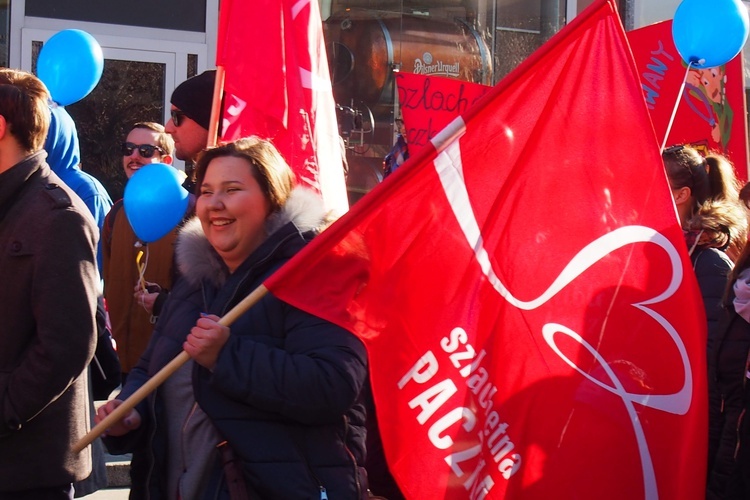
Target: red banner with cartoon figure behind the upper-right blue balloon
x,y
711,113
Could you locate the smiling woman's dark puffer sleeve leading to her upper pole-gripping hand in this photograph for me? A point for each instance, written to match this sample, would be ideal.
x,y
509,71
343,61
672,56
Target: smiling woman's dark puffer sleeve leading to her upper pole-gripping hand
x,y
312,375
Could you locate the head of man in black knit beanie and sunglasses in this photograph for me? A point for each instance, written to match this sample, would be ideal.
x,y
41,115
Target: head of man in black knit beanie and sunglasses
x,y
190,116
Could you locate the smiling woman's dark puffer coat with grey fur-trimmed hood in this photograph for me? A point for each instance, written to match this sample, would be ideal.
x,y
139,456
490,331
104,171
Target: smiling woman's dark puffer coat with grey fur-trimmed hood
x,y
285,391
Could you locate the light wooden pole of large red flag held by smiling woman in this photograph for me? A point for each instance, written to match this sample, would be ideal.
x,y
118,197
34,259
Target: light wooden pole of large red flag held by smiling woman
x,y
121,411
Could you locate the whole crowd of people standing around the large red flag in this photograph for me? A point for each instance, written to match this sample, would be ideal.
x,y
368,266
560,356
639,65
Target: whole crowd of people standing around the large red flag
x,y
279,407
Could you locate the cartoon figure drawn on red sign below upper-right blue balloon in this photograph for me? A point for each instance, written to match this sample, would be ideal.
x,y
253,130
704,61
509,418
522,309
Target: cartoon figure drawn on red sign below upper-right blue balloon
x,y
706,96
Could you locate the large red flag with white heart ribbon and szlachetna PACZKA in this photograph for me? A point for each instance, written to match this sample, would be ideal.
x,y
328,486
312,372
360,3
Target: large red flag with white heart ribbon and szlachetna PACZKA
x,y
524,290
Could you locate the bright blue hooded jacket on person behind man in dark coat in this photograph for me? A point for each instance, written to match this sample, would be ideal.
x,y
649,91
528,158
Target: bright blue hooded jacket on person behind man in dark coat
x,y
64,158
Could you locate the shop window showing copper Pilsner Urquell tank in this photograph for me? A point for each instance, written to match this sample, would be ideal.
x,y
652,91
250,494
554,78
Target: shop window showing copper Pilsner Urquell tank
x,y
369,42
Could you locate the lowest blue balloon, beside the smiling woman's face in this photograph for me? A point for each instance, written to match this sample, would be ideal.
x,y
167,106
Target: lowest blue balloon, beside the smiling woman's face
x,y
154,201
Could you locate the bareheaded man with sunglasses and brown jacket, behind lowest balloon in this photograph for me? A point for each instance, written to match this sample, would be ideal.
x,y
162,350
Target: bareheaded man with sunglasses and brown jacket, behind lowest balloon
x,y
132,309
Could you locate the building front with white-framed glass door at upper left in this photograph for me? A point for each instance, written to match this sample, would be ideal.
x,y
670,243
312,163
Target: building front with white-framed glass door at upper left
x,y
149,47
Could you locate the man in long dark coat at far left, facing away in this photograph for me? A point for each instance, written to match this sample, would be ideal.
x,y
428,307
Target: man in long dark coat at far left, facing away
x,y
47,302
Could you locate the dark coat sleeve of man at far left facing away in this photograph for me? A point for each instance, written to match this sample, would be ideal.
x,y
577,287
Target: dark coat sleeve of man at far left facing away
x,y
64,300
